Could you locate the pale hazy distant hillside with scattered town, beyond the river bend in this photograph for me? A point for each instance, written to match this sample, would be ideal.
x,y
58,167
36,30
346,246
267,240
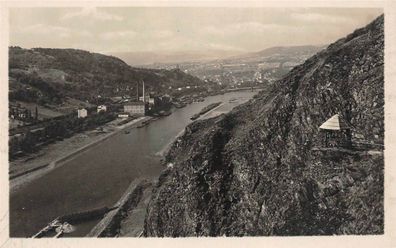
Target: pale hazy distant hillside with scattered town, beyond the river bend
x,y
264,66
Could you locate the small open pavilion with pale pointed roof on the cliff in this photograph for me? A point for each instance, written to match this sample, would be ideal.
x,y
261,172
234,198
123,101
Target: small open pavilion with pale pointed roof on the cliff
x,y
336,132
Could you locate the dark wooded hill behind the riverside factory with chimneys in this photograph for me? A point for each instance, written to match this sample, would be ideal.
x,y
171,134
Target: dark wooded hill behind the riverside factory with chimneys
x,y
54,76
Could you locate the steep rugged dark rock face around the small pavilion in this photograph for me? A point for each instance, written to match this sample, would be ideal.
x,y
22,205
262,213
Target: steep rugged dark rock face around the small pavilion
x,y
262,168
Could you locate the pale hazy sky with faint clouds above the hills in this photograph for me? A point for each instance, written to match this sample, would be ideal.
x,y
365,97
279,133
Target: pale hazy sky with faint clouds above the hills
x,y
181,29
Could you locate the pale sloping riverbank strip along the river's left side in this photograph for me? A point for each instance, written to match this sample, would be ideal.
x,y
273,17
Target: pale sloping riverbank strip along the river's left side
x,y
54,155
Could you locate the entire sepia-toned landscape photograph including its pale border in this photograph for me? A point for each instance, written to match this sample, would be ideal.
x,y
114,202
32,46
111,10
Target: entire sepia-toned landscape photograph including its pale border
x,y
193,121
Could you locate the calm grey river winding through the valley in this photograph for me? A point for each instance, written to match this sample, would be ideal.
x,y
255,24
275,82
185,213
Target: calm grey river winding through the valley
x,y
99,176
